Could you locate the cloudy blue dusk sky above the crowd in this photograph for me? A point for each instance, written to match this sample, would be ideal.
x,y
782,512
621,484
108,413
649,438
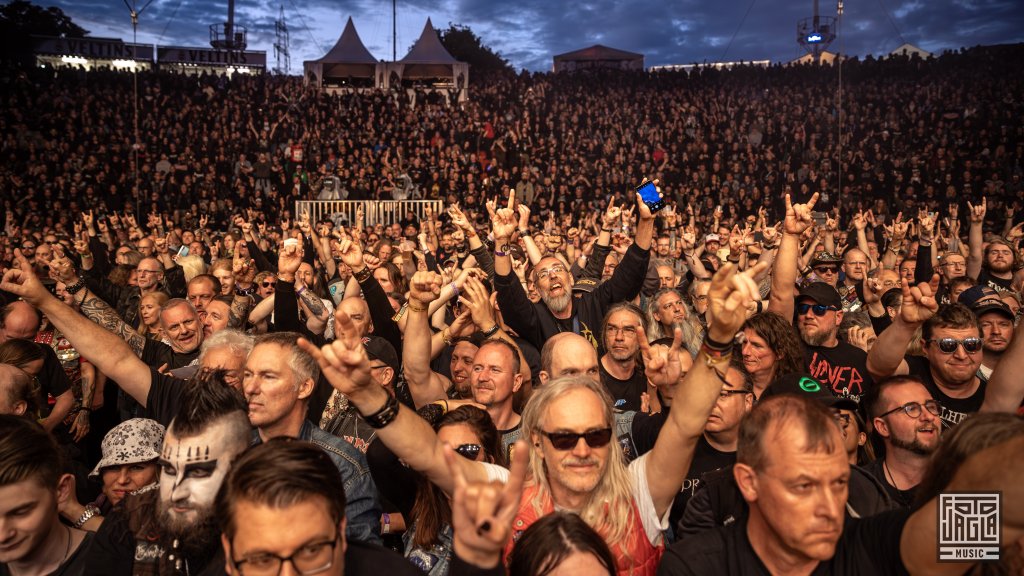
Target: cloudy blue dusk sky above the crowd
x,y
529,33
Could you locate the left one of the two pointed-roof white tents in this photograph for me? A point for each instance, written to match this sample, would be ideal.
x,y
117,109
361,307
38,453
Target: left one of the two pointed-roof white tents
x,y
348,65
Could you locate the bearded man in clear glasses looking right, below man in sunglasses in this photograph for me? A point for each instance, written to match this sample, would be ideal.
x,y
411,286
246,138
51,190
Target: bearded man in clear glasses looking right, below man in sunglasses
x,y
907,419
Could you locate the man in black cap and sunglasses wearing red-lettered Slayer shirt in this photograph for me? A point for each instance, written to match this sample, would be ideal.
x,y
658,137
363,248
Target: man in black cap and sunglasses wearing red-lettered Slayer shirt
x,y
842,366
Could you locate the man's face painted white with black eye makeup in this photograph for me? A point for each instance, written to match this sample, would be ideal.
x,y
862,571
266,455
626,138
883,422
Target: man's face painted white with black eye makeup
x,y
192,471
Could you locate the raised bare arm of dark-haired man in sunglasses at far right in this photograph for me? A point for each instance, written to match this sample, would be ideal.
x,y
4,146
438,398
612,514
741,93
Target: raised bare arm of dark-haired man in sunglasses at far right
x,y
886,357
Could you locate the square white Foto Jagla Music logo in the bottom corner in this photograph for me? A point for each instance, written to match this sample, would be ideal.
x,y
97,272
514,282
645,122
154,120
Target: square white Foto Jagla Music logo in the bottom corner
x,y
969,526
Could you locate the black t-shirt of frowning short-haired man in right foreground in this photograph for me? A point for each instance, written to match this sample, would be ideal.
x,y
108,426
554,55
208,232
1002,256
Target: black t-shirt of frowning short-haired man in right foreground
x,y
867,547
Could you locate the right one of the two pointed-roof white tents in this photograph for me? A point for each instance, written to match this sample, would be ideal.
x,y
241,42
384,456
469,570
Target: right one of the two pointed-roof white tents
x,y
429,65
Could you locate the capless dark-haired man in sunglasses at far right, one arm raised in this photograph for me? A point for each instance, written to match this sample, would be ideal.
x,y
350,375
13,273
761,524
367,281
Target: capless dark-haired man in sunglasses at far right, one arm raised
x,y
953,346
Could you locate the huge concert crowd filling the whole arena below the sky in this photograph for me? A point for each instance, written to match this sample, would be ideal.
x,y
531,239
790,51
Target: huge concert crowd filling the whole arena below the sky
x,y
778,373
